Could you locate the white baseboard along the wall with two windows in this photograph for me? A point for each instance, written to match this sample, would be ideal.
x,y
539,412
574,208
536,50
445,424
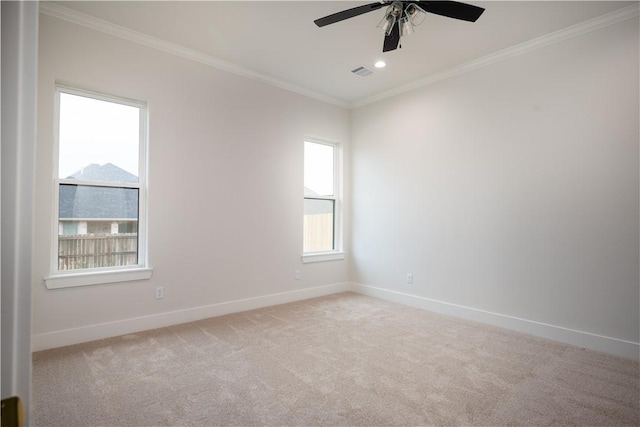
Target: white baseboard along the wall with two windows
x,y
88,333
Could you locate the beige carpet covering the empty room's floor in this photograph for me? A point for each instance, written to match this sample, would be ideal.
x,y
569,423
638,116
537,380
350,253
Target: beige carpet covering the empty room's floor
x,y
345,359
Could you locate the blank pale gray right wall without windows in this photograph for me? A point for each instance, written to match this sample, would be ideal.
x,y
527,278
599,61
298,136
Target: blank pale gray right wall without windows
x,y
511,189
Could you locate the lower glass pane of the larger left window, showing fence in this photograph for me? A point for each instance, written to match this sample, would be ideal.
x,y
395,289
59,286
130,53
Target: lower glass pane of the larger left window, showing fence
x,y
90,211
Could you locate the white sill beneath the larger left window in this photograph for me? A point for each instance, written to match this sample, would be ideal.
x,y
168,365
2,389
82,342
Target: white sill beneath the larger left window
x,y
96,278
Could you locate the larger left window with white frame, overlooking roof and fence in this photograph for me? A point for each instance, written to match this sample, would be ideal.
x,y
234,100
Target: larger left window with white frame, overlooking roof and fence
x,y
100,189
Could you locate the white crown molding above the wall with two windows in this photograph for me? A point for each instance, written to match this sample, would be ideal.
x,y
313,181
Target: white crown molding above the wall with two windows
x,y
88,21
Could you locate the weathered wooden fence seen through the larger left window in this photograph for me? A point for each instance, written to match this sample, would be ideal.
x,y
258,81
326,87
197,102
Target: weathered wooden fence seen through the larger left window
x,y
97,250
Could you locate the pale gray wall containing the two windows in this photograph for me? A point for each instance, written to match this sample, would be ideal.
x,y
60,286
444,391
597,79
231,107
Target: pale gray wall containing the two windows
x,y
225,186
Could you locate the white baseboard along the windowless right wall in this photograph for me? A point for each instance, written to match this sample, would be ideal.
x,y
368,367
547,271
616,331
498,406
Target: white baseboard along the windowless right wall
x,y
617,347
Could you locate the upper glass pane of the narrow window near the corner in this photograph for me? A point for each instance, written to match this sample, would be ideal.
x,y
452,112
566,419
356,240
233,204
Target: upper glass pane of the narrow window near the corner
x,y
318,169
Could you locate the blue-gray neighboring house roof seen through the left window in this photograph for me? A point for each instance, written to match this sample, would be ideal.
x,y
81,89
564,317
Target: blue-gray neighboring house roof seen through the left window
x,y
97,202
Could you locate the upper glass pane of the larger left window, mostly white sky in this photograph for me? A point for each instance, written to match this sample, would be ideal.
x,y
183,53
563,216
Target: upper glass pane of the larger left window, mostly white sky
x,y
98,140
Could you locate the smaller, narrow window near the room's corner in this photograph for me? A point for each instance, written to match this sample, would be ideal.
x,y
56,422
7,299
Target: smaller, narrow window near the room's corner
x,y
321,202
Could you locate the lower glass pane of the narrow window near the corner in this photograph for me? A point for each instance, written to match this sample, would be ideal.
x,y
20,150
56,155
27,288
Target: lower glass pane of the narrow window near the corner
x,y
318,225
